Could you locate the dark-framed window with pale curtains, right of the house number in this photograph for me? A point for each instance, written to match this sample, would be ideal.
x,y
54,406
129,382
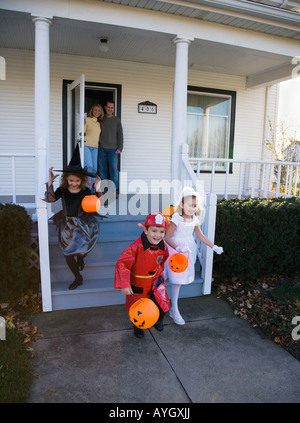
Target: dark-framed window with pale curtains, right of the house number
x,y
210,124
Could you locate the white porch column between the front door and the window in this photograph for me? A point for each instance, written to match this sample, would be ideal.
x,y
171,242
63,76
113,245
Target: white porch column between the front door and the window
x,y
180,104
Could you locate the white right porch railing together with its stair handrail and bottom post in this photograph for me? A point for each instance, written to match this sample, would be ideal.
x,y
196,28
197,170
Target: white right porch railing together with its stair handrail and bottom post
x,y
234,178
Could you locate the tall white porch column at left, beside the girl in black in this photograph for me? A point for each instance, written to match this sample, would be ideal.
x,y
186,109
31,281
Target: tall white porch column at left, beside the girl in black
x,y
42,131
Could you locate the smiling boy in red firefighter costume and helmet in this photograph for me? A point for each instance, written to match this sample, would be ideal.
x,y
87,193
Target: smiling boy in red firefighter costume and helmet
x,y
139,269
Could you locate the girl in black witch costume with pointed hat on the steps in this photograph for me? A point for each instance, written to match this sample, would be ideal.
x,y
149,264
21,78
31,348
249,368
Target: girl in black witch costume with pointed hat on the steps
x,y
78,230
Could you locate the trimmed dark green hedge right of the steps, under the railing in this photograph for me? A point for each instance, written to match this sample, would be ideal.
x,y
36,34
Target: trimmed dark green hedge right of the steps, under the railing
x,y
259,237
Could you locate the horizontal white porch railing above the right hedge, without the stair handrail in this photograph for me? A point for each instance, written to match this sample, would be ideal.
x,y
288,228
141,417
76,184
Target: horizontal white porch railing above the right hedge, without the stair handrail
x,y
240,178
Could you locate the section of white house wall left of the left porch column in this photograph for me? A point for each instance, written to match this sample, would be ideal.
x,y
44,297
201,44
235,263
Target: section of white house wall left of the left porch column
x,y
17,120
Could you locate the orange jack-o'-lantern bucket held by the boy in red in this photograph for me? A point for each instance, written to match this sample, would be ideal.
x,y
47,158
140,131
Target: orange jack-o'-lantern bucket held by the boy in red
x,y
144,313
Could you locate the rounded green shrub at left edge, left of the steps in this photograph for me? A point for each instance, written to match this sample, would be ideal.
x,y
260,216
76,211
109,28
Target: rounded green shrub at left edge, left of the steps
x,y
15,250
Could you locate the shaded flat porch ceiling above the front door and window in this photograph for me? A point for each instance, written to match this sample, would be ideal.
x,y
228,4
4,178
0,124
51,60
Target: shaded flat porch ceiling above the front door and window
x,y
82,38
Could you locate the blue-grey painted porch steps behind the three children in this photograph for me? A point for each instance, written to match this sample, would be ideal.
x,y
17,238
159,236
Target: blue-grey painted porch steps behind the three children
x,y
116,232
